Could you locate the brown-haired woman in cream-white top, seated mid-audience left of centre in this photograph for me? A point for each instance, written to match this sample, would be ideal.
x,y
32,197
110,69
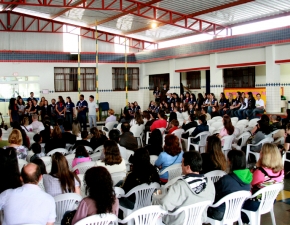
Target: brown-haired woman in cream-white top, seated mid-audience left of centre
x,y
113,161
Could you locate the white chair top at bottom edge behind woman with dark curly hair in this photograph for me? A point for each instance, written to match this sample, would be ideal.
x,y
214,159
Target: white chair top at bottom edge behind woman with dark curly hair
x,y
99,219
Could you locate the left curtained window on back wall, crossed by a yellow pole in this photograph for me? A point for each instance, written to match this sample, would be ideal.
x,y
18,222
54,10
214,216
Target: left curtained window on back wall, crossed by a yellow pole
x,y
66,79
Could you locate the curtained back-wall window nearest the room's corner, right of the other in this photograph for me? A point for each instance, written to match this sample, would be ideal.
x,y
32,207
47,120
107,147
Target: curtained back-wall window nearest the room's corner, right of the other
x,y
119,82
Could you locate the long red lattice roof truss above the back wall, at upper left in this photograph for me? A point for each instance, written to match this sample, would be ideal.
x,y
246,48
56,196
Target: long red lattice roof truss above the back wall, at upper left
x,y
33,24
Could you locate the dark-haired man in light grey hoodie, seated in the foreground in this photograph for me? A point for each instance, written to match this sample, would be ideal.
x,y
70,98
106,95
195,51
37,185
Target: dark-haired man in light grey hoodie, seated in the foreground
x,y
191,188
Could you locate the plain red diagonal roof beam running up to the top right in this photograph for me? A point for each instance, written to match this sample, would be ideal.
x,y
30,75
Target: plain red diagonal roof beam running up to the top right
x,y
221,7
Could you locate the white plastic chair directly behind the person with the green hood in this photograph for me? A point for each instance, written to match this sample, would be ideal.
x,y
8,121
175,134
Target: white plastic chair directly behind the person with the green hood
x,y
233,204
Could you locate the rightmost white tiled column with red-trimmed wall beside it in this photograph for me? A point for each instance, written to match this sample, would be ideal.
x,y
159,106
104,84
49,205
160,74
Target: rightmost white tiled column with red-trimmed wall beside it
x,y
273,104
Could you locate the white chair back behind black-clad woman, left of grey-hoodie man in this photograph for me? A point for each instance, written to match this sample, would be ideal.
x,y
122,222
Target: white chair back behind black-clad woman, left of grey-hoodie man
x,y
143,194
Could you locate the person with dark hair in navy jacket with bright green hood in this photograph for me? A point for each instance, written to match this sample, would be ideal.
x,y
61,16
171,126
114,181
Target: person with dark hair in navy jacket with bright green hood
x,y
238,179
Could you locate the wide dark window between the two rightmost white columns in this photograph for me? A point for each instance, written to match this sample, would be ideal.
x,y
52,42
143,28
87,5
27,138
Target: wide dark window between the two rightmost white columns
x,y
239,77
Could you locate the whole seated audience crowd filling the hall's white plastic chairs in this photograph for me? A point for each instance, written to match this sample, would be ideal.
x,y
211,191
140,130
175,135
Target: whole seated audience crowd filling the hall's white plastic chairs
x,y
21,193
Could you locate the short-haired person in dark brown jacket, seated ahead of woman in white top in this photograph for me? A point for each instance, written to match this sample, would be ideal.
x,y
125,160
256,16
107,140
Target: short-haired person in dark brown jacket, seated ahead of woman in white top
x,y
127,140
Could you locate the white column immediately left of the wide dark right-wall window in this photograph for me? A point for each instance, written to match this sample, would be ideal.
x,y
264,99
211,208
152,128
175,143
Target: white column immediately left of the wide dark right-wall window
x,y
216,76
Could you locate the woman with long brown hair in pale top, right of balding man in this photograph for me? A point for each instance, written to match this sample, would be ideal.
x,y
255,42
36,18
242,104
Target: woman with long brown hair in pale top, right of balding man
x,y
60,180
